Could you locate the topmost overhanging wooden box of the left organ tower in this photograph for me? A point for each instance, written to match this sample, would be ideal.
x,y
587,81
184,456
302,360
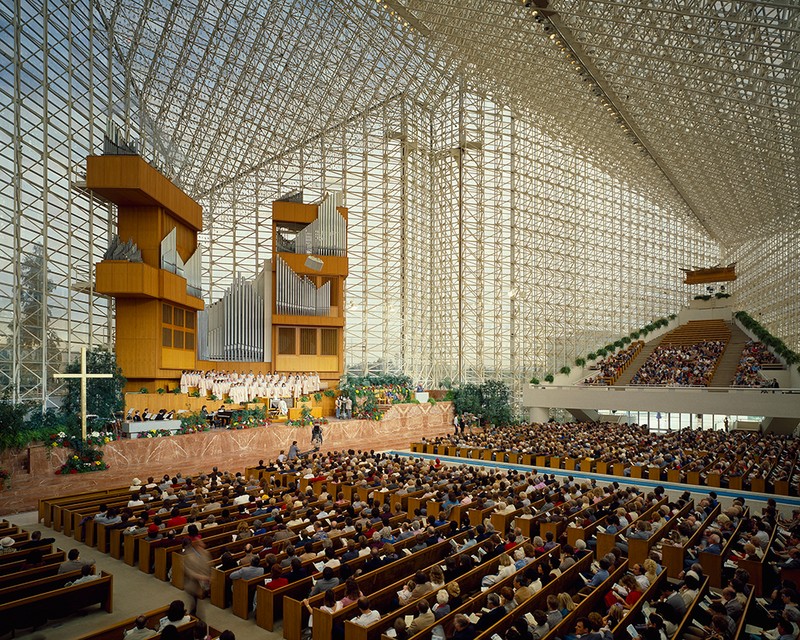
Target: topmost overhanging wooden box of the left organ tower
x,y
130,181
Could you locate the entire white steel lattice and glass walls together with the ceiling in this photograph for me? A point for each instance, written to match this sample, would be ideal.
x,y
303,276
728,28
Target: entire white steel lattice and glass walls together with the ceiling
x,y
525,180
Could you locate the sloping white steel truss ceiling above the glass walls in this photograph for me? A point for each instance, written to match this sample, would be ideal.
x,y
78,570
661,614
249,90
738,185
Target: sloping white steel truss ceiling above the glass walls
x,y
713,86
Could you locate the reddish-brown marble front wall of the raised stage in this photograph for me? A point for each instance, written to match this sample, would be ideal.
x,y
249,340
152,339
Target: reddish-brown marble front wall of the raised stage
x,y
33,470
